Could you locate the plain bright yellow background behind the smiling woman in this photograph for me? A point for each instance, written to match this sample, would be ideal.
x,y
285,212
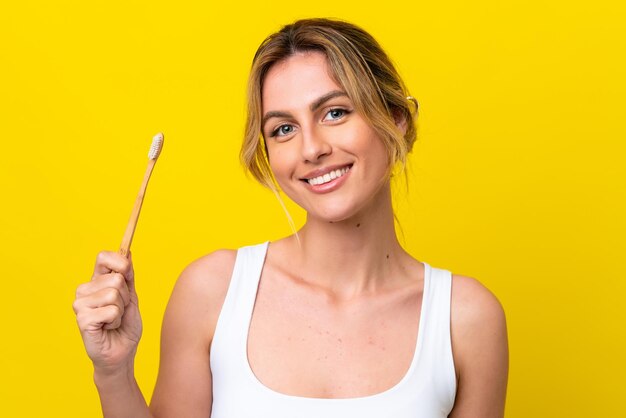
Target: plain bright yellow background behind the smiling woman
x,y
518,178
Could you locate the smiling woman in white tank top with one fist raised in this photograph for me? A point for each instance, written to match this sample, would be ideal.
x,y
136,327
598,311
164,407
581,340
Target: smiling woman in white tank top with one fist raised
x,y
336,320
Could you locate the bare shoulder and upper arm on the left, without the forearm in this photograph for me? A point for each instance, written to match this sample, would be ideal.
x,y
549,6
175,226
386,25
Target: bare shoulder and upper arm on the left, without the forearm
x,y
184,384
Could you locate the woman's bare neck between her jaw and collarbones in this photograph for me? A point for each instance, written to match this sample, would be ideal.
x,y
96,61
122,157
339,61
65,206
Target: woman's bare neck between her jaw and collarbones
x,y
352,256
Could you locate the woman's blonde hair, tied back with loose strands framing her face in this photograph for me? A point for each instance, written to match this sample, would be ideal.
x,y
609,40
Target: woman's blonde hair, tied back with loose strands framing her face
x,y
357,63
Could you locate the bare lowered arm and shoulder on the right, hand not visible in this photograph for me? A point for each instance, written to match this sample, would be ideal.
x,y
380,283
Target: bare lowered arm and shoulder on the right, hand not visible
x,y
480,349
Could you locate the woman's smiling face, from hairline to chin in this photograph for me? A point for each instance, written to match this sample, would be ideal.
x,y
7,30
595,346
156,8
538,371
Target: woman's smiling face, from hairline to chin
x,y
323,154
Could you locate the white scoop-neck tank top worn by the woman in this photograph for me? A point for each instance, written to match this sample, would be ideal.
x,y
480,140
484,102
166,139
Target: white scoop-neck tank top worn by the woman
x,y
427,390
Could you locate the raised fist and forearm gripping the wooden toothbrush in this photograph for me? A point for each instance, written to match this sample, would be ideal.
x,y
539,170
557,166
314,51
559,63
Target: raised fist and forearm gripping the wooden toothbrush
x,y
108,317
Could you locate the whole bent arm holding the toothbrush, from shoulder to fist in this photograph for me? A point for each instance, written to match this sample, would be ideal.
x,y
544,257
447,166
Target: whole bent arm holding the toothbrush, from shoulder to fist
x,y
110,324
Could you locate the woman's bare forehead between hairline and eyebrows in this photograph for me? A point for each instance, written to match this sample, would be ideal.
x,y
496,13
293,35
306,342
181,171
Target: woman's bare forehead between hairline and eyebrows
x,y
297,81
